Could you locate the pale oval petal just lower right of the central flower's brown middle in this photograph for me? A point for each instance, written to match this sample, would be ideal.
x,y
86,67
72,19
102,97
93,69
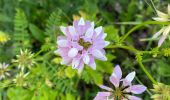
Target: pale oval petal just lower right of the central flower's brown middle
x,y
99,55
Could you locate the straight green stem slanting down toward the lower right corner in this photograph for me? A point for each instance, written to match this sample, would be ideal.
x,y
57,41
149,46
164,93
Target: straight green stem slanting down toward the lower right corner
x,y
146,72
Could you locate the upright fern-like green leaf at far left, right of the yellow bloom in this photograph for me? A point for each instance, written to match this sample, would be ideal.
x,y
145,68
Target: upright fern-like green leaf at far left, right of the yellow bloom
x,y
21,36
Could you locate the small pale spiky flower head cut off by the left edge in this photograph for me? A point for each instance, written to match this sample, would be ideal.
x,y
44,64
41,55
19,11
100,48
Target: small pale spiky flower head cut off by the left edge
x,y
4,71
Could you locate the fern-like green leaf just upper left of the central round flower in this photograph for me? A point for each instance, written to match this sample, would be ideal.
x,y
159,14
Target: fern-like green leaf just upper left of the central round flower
x,y
52,26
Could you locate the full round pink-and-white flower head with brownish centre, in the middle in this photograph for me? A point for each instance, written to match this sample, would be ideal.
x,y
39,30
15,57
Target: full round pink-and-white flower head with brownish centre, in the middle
x,y
82,44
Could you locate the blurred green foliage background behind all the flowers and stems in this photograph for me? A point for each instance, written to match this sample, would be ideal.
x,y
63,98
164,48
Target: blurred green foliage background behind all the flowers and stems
x,y
34,25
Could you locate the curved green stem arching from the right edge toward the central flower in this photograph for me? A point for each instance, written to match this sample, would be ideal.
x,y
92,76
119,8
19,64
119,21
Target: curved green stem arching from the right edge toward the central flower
x,y
140,25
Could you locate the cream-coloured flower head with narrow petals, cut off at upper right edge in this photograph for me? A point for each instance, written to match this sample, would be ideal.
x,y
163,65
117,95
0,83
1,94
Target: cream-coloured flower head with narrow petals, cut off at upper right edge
x,y
162,17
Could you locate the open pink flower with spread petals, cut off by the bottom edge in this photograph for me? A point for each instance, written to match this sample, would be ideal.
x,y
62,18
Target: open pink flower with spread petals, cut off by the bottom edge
x,y
123,88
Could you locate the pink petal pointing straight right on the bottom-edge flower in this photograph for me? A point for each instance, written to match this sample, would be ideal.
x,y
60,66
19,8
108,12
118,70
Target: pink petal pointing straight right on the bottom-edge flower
x,y
136,89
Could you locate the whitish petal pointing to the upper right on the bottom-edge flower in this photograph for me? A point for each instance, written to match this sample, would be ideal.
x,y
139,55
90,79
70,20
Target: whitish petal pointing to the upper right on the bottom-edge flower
x,y
128,79
